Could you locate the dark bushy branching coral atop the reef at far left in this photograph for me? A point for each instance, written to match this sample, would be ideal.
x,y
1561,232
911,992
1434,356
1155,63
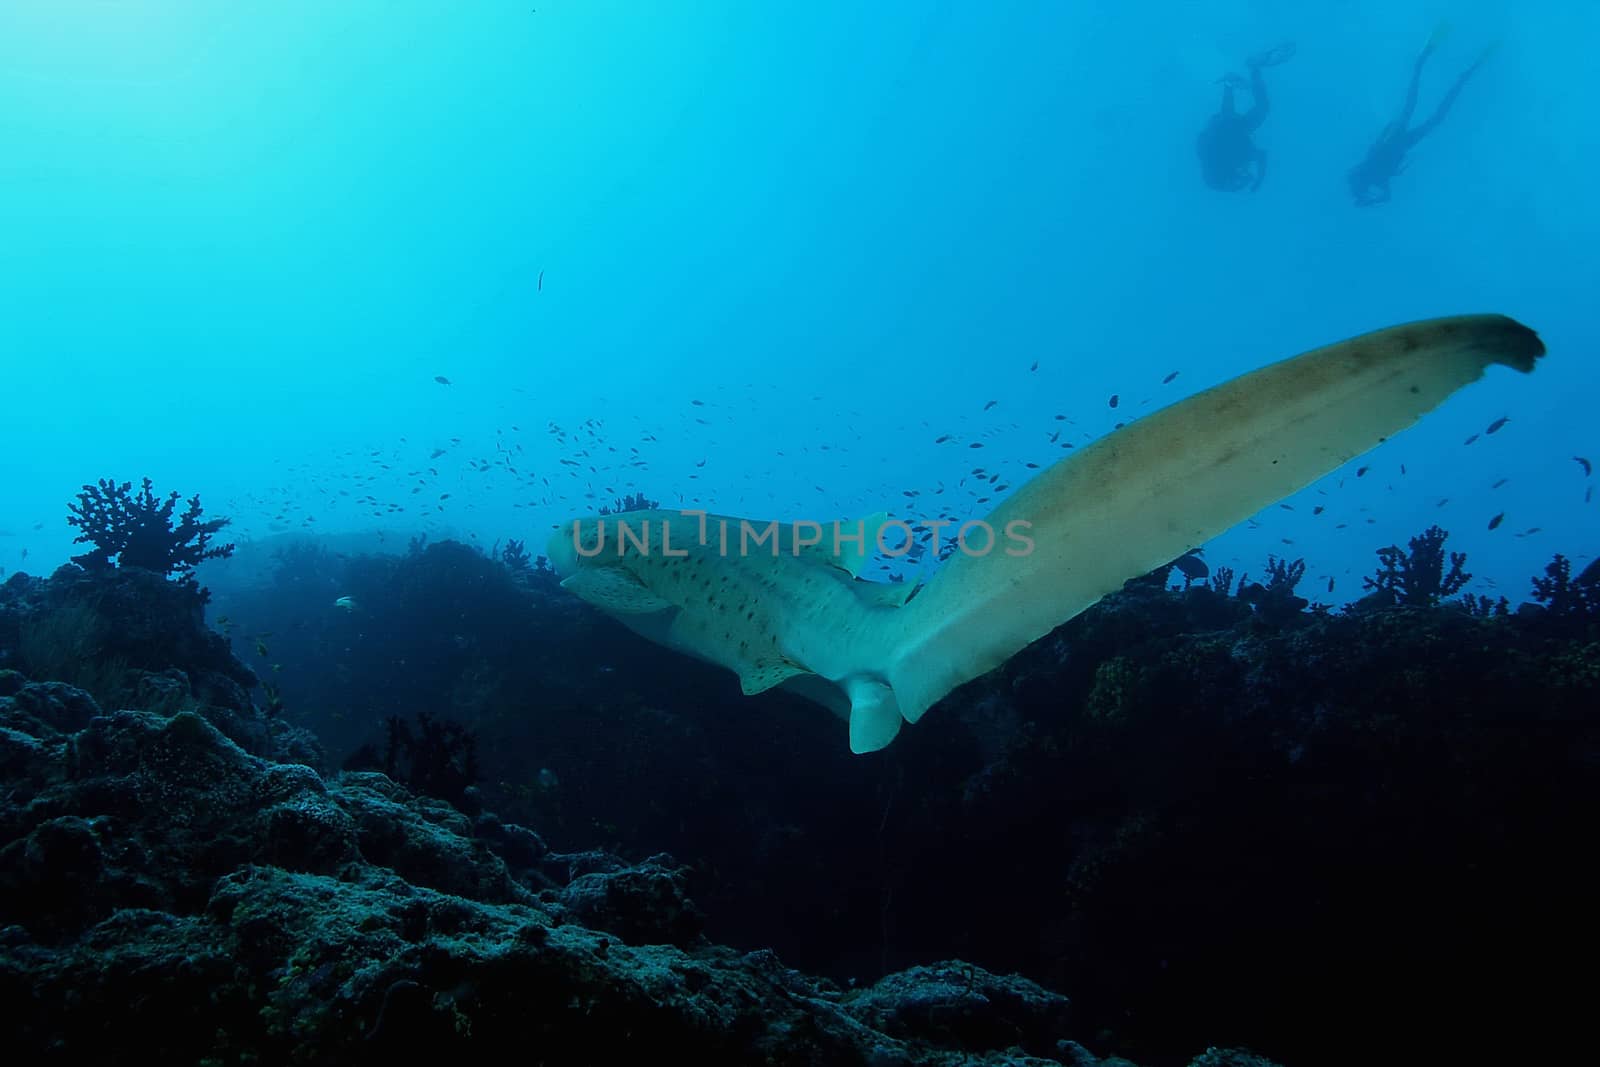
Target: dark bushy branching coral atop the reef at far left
x,y
137,530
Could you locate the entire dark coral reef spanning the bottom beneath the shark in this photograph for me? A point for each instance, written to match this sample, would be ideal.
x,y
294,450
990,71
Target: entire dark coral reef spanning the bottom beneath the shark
x,y
1198,820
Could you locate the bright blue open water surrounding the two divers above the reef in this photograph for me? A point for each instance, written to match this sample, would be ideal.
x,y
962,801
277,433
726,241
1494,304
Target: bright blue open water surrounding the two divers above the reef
x,y
762,258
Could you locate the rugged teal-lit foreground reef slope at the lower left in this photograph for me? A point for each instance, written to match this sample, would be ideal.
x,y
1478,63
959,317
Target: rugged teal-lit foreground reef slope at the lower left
x,y
170,897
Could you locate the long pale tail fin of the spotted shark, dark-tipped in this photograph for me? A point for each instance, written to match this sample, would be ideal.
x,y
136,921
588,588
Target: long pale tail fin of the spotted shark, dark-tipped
x,y
1175,479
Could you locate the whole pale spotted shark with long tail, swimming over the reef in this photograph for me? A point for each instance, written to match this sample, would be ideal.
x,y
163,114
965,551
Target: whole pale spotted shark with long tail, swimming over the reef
x,y
785,605
